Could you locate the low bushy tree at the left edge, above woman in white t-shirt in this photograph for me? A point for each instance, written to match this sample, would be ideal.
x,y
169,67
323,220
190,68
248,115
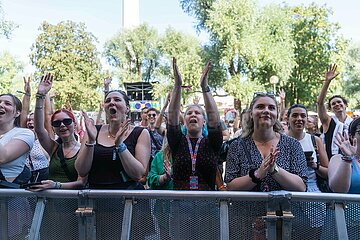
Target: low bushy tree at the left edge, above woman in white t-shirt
x,y
9,67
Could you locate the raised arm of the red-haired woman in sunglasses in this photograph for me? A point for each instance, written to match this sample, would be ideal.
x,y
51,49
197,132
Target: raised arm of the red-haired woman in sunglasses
x,y
44,87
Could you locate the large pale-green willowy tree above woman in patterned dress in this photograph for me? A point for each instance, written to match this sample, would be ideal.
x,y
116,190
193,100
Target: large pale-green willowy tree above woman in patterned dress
x,y
245,41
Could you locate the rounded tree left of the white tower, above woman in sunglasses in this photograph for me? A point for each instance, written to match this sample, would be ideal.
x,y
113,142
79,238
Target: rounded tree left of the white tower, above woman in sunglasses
x,y
68,51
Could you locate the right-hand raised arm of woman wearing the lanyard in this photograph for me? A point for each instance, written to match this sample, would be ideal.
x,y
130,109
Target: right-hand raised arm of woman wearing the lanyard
x,y
210,105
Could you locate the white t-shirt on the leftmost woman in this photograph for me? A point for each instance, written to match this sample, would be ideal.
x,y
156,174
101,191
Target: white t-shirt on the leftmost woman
x,y
13,168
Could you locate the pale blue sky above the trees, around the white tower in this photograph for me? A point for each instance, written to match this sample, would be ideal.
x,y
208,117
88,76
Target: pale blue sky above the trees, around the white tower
x,y
103,18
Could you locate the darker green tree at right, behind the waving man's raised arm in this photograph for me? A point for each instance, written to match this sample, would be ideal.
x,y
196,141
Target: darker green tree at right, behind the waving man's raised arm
x,y
318,44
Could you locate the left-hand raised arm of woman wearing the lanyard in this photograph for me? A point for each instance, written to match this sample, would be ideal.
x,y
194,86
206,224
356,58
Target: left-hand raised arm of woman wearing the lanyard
x,y
174,105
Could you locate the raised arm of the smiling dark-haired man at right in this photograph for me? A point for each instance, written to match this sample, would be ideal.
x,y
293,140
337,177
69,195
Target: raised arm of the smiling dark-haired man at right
x,y
321,109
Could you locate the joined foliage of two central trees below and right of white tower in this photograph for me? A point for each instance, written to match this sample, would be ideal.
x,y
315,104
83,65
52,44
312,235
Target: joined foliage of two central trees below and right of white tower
x,y
141,54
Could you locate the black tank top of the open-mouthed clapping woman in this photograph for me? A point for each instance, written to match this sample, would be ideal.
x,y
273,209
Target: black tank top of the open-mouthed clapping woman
x,y
106,173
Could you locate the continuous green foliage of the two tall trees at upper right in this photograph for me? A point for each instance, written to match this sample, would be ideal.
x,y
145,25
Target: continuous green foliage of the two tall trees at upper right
x,y
294,43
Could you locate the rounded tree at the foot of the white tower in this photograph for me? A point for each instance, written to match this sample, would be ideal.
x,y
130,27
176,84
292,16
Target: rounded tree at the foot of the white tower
x,y
134,53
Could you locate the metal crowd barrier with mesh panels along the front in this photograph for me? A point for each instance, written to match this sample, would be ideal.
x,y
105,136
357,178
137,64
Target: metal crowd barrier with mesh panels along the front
x,y
118,214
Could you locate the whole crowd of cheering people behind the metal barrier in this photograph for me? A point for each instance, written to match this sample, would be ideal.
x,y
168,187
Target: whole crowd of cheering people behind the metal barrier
x,y
273,148
